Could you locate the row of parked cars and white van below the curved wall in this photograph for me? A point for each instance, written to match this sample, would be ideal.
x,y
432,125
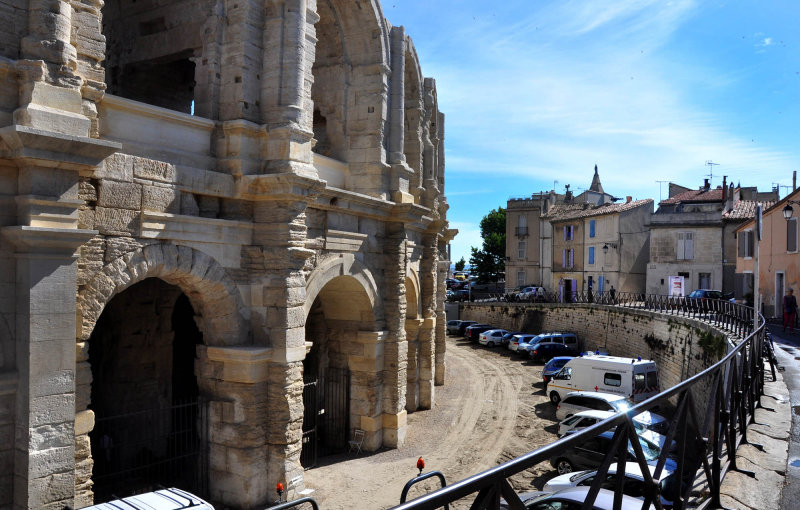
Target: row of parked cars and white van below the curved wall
x,y
587,388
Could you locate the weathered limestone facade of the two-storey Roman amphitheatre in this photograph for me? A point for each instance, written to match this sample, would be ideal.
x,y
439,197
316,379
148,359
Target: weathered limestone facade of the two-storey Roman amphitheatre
x,y
197,199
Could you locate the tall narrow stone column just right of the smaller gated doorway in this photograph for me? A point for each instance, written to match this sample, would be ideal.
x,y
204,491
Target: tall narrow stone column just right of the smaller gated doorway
x,y
395,344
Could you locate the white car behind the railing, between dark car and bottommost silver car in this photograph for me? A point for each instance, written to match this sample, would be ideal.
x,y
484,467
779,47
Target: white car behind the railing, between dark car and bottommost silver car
x,y
634,482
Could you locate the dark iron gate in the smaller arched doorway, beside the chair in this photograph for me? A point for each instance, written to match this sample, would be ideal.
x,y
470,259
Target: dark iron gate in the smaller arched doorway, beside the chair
x,y
326,416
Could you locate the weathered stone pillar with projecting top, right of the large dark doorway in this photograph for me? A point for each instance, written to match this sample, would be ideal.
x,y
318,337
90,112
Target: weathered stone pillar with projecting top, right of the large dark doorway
x,y
235,380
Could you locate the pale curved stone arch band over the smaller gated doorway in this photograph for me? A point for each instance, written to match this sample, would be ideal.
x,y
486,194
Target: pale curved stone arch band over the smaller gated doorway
x,y
344,265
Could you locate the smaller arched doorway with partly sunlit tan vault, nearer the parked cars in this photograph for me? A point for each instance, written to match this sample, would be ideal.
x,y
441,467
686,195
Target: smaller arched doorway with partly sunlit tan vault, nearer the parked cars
x,y
334,395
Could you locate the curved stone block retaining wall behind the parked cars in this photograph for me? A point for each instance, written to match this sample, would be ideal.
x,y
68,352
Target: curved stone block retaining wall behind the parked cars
x,y
671,341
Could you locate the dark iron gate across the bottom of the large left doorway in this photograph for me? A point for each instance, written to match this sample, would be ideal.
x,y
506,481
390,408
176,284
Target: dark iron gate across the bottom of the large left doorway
x,y
142,451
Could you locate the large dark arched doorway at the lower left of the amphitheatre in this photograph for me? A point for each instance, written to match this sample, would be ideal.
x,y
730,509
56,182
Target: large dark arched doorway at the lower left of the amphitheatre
x,y
149,421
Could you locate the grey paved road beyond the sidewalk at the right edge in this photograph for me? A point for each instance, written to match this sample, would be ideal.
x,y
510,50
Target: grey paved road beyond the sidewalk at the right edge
x,y
787,350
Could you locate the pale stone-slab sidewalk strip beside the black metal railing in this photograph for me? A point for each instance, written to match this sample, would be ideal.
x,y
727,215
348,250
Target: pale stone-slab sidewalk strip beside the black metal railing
x,y
771,429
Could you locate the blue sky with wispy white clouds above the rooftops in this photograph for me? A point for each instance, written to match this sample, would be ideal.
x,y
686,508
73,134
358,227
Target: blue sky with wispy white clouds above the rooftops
x,y
540,91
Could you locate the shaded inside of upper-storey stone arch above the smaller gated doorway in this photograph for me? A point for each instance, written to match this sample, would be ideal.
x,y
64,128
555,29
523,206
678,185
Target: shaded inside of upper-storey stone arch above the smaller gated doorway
x,y
350,76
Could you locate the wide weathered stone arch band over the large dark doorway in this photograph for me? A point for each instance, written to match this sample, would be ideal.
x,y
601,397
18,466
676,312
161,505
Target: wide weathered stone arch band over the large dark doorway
x,y
212,293
